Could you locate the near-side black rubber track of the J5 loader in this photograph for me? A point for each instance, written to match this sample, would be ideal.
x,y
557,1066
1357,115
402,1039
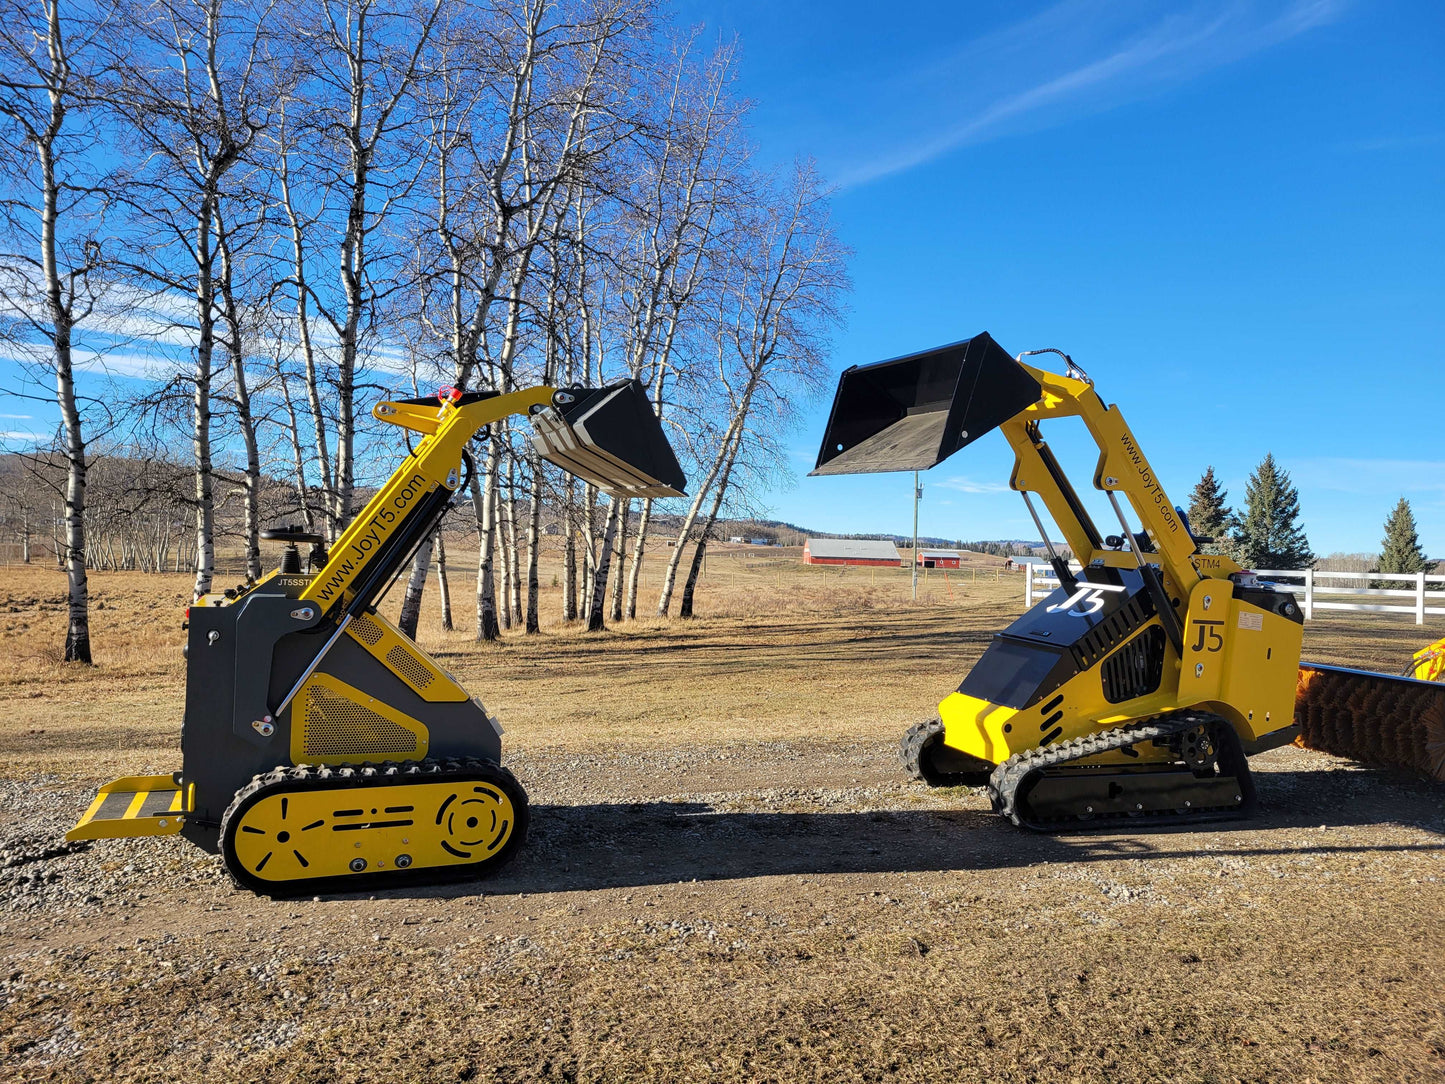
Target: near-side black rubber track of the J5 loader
x,y
1012,774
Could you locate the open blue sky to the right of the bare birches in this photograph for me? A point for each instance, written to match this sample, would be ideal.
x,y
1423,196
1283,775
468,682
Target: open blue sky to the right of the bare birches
x,y
1229,213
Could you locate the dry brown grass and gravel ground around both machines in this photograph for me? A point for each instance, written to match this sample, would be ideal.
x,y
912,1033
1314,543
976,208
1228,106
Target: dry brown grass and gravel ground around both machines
x,y
728,878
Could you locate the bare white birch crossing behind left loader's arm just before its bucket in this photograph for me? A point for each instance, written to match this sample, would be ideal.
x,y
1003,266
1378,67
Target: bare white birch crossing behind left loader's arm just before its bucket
x,y
547,90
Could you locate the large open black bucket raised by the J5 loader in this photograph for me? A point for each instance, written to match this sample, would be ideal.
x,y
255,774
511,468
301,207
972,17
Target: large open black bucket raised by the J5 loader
x,y
914,413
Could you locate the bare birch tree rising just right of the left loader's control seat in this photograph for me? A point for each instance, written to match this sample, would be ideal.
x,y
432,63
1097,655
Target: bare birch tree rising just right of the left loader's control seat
x,y
346,163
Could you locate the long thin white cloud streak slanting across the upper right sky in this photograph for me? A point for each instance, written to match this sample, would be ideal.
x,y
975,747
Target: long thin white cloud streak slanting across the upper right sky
x,y
1134,61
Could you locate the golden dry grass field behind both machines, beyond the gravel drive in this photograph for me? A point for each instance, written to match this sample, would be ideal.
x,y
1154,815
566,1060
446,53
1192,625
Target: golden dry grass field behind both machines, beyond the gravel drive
x,y
775,653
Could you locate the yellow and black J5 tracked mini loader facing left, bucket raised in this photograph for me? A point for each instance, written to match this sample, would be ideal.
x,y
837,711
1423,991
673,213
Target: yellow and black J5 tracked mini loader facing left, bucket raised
x,y
1141,686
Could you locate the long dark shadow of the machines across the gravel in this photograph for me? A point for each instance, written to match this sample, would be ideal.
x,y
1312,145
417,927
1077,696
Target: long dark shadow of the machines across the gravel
x,y
611,846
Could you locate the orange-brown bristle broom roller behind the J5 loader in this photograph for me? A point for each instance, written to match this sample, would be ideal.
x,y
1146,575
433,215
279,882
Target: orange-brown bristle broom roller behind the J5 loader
x,y
1375,719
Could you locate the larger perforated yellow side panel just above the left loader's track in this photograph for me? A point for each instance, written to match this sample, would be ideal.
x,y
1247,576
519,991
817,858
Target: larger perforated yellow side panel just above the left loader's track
x,y
335,723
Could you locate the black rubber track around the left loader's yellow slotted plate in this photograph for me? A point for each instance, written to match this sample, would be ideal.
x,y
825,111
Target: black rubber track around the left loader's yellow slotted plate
x,y
428,771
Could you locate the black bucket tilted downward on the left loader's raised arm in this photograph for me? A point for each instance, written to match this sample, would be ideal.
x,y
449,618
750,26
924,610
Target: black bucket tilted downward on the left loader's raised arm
x,y
612,439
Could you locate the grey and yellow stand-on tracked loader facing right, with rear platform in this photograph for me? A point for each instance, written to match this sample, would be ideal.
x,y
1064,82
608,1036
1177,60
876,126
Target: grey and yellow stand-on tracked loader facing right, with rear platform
x,y
322,749
